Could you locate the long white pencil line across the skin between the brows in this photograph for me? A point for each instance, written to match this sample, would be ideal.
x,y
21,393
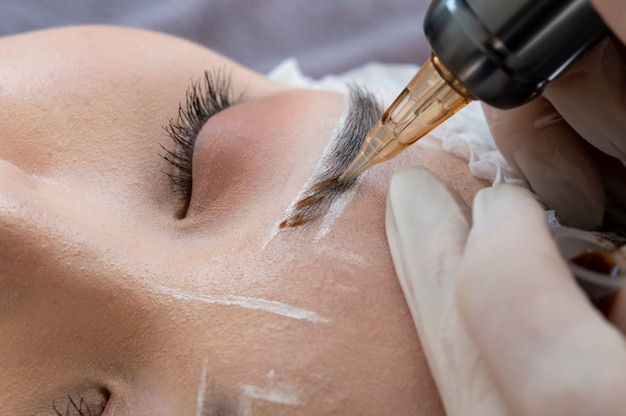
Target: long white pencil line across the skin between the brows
x,y
270,306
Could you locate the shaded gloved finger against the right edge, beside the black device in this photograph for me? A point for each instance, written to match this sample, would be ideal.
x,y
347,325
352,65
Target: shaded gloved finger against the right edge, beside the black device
x,y
590,97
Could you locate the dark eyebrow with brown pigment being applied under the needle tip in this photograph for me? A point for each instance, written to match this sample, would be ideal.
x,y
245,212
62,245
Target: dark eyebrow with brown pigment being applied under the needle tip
x,y
363,112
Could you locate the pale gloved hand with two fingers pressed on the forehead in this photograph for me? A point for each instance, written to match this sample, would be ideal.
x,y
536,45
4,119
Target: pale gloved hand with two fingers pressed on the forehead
x,y
504,326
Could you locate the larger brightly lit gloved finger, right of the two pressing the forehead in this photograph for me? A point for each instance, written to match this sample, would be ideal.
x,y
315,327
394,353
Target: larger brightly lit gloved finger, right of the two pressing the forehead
x,y
548,351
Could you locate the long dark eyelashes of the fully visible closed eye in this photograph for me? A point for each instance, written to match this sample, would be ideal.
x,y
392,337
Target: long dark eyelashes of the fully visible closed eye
x,y
204,98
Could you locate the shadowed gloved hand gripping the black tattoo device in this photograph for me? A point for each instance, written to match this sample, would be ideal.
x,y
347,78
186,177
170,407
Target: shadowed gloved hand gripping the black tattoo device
x,y
568,142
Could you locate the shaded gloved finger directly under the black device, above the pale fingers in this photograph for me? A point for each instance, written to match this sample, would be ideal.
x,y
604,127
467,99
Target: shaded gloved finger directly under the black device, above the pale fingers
x,y
556,162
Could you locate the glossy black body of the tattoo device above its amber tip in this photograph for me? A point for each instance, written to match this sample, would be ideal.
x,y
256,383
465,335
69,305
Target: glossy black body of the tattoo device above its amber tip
x,y
505,51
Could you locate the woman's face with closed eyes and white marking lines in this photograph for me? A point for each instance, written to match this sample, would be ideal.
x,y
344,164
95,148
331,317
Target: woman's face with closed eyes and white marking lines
x,y
117,289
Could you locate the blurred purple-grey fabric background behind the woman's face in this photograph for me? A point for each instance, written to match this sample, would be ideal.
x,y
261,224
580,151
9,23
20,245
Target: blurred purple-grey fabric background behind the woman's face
x,y
325,36
